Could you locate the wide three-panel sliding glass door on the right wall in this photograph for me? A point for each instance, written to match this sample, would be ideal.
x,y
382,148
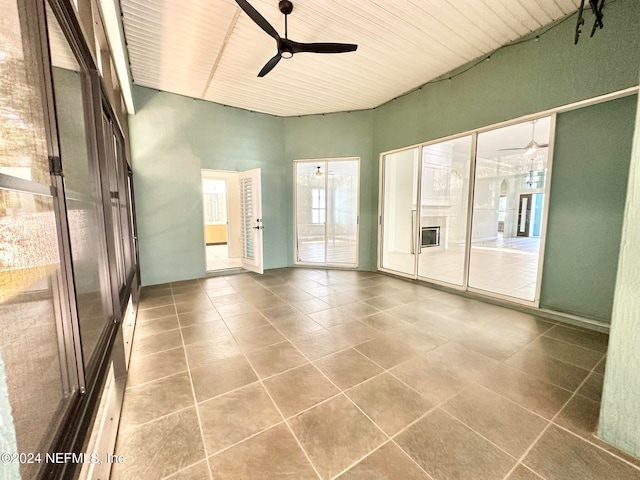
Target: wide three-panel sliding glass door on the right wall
x,y
430,229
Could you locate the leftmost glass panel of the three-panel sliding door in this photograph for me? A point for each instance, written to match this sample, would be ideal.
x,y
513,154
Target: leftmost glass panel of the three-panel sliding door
x,y
399,211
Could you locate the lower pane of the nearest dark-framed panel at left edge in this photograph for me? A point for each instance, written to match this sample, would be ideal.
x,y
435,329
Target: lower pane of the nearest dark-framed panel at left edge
x,y
29,315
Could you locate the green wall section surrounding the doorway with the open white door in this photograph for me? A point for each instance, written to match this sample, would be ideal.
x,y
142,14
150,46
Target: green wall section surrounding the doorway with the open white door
x,y
172,138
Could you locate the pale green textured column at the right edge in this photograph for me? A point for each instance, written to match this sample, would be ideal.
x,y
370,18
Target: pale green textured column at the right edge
x,y
620,410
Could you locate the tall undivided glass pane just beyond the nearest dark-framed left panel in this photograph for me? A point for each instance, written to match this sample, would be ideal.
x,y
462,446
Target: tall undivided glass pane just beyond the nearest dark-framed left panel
x,y
82,195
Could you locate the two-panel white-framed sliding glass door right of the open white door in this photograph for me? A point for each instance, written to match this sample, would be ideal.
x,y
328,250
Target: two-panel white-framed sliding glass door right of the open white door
x,y
326,211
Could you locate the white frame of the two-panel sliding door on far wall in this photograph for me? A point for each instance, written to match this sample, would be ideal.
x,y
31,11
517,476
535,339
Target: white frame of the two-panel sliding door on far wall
x,y
296,252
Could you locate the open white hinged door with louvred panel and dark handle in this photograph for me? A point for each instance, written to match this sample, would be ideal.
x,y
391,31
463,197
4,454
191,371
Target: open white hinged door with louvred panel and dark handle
x,y
251,220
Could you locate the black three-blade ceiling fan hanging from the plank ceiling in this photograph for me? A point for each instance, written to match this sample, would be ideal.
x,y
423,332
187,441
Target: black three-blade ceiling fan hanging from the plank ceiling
x,y
286,47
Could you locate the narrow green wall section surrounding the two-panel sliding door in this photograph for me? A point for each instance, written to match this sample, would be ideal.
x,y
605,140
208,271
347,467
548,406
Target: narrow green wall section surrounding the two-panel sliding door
x,y
331,136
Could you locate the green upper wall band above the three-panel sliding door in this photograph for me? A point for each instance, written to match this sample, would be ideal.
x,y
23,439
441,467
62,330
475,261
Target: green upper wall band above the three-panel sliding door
x,y
519,80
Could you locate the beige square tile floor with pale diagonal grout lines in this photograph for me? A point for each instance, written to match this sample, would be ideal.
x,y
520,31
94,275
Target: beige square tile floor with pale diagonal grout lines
x,y
304,373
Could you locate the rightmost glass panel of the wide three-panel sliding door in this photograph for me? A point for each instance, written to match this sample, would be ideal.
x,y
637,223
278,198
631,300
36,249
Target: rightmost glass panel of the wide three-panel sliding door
x,y
509,197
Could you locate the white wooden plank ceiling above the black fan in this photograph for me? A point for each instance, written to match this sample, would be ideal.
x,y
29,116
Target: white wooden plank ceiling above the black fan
x,y
210,49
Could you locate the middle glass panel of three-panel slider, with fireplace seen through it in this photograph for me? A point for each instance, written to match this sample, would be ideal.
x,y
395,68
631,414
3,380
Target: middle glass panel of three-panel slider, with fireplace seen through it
x,y
444,197
